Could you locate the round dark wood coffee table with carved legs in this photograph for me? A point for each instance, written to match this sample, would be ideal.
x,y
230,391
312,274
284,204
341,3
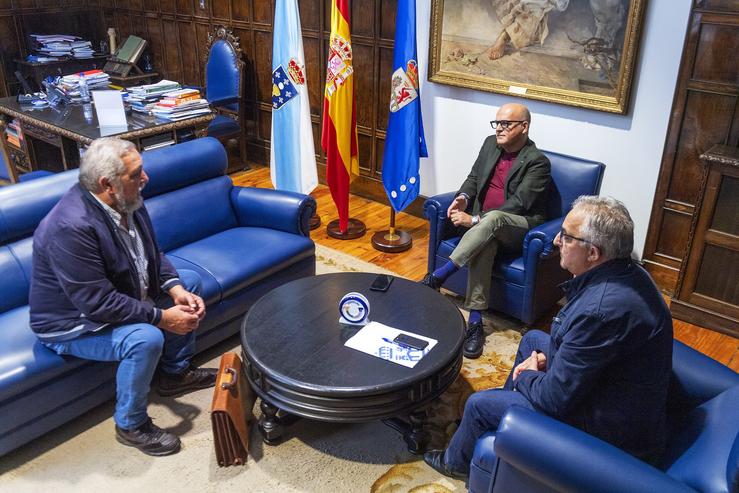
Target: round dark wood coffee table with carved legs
x,y
296,361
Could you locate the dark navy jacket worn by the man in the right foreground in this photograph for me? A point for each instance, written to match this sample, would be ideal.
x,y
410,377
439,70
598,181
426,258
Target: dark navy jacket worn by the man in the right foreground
x,y
609,360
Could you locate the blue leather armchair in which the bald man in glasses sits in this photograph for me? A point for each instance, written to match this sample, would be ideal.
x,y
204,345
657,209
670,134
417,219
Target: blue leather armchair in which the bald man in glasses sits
x,y
523,285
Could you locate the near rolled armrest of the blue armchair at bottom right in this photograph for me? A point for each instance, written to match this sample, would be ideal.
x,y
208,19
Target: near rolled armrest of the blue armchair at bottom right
x,y
567,459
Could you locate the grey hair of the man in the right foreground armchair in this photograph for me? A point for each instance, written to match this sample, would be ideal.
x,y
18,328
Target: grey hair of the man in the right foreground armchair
x,y
607,225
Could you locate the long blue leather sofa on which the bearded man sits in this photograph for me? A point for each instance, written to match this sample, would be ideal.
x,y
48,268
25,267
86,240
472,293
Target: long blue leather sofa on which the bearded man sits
x,y
242,241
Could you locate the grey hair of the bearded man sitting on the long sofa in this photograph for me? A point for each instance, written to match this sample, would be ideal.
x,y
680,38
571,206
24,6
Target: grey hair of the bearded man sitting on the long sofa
x,y
103,159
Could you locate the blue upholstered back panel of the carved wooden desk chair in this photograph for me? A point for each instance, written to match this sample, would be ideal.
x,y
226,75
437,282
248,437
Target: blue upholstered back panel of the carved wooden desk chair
x,y
222,73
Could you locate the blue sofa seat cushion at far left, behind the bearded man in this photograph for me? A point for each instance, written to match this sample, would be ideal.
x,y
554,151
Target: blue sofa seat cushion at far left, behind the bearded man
x,y
25,362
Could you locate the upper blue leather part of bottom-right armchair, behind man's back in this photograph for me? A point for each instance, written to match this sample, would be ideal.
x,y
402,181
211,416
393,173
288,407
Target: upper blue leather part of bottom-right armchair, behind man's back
x,y
697,378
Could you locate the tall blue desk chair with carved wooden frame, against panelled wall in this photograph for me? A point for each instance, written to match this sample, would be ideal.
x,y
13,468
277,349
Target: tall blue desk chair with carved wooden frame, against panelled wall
x,y
224,75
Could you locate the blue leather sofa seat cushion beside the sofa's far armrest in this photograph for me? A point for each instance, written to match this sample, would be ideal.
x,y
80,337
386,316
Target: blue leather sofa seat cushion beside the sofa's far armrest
x,y
223,254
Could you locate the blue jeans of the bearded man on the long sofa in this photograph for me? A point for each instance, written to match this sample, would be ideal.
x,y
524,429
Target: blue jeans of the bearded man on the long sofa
x,y
138,347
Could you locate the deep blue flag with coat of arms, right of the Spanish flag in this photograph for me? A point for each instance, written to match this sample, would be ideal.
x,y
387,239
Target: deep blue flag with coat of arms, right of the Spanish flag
x,y
405,142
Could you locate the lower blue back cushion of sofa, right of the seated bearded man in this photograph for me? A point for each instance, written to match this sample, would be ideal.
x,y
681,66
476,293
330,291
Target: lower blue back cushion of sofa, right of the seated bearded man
x,y
190,214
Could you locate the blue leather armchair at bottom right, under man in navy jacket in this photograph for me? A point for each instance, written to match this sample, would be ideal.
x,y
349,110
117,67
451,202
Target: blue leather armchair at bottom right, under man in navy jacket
x,y
534,453
